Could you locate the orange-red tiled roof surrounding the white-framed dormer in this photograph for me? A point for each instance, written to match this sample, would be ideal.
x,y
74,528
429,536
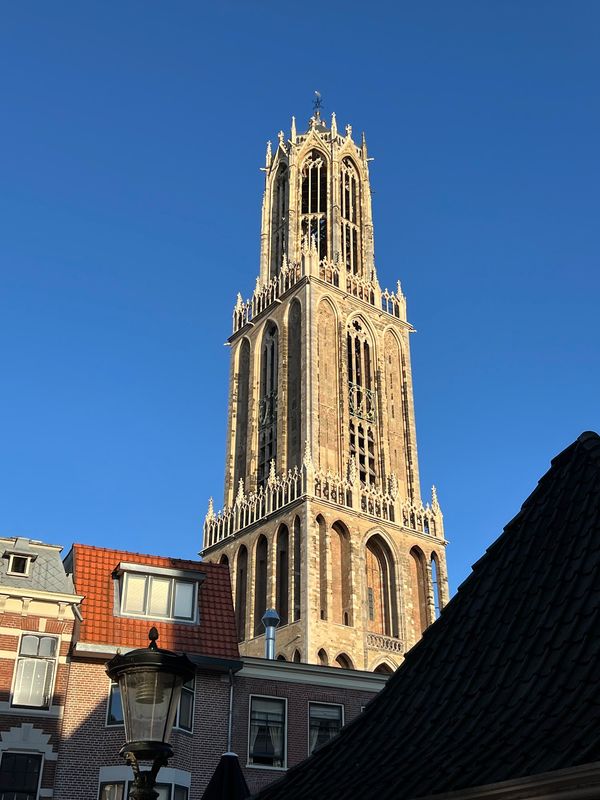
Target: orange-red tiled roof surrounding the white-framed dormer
x,y
215,635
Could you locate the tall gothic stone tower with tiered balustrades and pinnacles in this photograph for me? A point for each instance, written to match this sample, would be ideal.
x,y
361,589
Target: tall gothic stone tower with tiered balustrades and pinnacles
x,y
323,518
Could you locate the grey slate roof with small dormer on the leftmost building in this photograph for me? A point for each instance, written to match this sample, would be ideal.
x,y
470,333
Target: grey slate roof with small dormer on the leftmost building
x,y
46,571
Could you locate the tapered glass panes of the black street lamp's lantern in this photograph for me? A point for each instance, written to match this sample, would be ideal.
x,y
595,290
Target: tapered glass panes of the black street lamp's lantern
x,y
150,701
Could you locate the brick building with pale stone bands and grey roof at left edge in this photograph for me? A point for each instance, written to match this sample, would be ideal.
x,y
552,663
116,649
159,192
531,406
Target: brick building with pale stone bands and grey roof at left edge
x,y
38,611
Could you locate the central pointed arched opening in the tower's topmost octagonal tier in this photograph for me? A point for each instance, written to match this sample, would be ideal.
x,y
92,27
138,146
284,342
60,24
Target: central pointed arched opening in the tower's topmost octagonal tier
x,y
313,208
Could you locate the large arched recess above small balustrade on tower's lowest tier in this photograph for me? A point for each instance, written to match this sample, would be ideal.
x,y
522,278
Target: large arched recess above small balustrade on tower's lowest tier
x,y
382,616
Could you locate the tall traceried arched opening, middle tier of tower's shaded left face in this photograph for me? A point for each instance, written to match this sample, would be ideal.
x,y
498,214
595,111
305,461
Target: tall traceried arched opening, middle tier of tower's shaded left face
x,y
267,413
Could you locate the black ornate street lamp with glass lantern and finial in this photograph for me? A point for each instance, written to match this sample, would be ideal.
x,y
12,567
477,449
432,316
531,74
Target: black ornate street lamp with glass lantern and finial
x,y
150,680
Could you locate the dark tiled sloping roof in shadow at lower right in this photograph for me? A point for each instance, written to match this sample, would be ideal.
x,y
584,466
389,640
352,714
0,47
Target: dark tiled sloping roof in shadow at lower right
x,y
507,682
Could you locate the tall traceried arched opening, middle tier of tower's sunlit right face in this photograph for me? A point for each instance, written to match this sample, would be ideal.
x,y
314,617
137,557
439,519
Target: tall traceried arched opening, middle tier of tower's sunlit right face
x,y
361,403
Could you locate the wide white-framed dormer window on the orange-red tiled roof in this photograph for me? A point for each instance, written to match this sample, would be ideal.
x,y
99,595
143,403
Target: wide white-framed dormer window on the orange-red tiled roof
x,y
156,593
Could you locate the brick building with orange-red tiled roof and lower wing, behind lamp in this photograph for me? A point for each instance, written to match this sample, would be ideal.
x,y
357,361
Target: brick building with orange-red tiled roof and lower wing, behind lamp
x,y
280,711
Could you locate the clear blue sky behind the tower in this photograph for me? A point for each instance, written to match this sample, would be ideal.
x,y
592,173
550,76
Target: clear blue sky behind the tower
x,y
131,139
